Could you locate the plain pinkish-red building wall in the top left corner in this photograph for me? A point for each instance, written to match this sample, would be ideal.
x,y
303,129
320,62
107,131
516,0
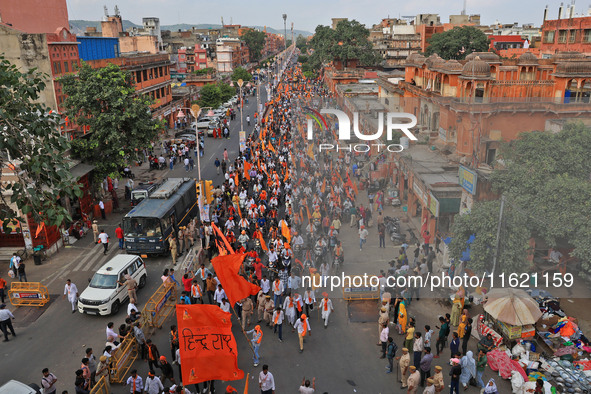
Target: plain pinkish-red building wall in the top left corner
x,y
35,16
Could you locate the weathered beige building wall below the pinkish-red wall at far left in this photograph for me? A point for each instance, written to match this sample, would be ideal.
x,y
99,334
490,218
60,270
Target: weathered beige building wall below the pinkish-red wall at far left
x,y
27,51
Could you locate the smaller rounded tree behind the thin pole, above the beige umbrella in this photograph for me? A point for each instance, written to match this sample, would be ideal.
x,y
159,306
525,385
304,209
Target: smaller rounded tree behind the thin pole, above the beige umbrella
x,y
482,222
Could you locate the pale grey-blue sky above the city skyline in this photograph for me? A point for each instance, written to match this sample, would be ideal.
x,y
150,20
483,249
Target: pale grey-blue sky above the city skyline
x,y
307,14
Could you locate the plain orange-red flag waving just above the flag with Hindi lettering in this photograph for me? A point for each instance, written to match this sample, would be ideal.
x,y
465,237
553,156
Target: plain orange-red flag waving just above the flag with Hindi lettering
x,y
235,286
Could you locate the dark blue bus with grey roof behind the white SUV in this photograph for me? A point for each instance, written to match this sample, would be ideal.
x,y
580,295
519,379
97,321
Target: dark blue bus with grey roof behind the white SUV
x,y
148,226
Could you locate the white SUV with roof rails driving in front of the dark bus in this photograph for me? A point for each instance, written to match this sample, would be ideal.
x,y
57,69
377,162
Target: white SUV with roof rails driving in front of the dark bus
x,y
104,295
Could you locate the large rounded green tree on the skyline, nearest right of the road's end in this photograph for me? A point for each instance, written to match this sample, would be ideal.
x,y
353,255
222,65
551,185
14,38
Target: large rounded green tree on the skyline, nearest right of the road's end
x,y
349,41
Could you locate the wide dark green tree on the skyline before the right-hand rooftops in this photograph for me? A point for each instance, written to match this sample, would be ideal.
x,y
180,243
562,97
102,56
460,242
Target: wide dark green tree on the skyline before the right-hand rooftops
x,y
457,43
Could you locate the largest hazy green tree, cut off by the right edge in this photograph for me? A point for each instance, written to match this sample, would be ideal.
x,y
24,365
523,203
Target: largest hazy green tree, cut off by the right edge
x,y
547,176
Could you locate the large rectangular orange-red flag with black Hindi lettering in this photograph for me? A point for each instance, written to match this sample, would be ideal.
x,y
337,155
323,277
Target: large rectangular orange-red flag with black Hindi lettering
x,y
207,347
